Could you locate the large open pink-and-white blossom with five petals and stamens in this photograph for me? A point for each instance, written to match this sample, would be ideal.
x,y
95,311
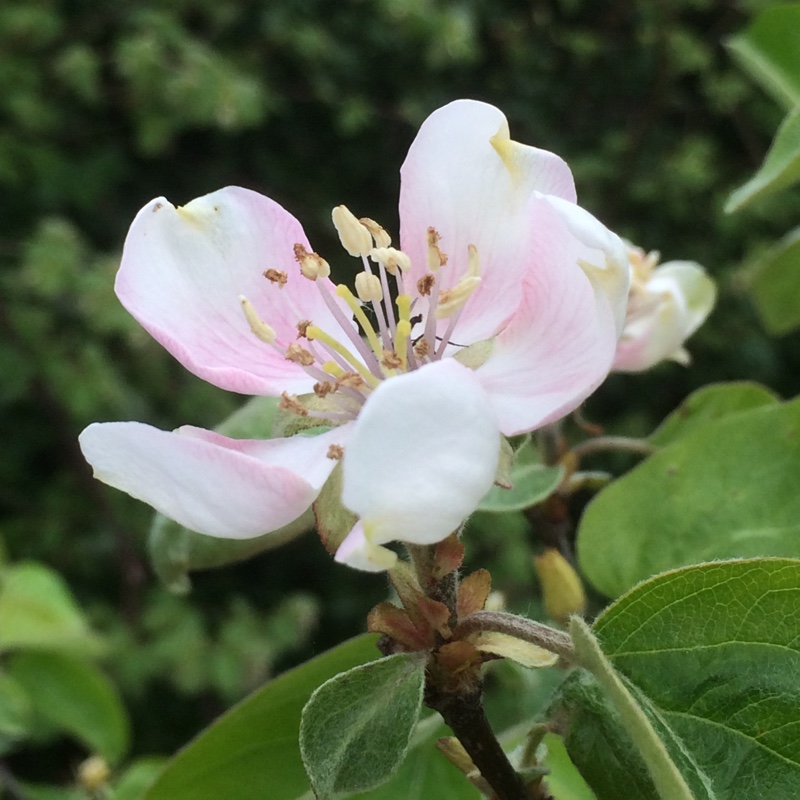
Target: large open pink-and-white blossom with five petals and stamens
x,y
500,313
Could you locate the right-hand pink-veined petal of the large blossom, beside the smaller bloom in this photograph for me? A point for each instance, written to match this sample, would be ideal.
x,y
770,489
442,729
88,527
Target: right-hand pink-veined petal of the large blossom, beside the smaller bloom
x,y
560,344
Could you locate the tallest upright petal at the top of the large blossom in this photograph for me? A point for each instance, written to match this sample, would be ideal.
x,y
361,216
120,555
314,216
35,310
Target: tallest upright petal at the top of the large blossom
x,y
464,177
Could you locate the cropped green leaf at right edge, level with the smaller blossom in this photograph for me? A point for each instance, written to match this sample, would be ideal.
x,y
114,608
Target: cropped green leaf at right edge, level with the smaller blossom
x,y
776,285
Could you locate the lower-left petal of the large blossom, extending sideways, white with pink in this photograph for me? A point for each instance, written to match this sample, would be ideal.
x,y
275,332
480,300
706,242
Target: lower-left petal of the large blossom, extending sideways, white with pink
x,y
234,489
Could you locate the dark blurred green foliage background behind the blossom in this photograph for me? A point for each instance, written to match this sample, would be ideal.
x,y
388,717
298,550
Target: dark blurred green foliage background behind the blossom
x,y
106,105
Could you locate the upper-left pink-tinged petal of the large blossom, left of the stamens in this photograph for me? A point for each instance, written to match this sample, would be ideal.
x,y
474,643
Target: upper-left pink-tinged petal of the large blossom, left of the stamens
x,y
183,270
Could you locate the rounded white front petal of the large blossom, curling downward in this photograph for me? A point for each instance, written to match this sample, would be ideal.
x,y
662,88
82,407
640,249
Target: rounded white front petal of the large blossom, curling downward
x,y
422,455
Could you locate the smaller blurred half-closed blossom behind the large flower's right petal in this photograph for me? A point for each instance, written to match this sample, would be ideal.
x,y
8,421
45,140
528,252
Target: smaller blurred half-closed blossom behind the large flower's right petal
x,y
666,305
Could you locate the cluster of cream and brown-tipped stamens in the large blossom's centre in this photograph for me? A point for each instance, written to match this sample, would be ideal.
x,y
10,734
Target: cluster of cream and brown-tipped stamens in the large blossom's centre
x,y
387,342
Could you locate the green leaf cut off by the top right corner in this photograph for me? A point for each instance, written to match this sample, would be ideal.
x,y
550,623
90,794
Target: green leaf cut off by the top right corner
x,y
768,50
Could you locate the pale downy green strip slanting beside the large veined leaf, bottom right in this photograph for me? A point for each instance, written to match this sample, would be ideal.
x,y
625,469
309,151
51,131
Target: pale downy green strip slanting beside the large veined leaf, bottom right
x,y
666,777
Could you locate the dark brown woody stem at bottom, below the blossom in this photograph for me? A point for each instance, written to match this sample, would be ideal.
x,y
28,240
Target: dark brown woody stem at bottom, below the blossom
x,y
465,716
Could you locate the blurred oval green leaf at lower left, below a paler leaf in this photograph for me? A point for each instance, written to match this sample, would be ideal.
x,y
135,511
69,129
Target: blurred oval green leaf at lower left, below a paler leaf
x,y
75,696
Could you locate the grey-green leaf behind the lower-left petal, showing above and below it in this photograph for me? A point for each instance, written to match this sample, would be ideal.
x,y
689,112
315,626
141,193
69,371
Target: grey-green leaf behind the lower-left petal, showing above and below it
x,y
175,550
